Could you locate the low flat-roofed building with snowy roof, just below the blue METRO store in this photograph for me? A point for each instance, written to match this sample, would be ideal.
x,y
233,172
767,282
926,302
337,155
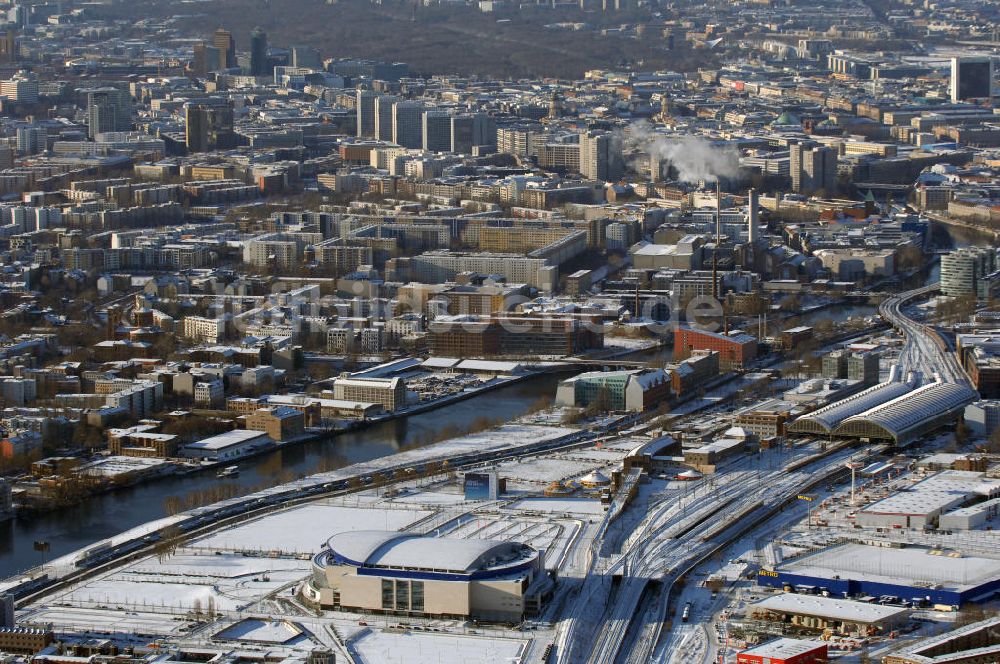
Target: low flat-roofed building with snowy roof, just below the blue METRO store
x,y
839,616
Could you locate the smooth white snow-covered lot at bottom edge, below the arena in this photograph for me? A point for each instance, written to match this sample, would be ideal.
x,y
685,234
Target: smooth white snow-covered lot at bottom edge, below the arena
x,y
404,648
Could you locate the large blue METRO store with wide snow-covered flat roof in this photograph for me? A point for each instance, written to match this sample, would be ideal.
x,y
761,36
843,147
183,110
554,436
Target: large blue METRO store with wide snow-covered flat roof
x,y
912,574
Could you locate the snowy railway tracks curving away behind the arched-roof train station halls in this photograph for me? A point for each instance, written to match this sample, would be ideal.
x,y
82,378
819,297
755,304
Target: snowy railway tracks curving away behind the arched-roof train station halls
x,y
924,352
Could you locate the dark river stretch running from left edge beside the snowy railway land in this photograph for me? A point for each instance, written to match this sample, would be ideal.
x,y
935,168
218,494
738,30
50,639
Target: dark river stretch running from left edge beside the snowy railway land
x,y
110,513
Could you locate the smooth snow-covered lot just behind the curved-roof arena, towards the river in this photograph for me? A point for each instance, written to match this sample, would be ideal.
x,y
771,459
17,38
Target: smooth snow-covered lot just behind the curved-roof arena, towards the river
x,y
305,529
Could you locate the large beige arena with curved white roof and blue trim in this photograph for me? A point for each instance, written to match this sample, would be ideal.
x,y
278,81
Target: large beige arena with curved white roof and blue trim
x,y
376,571
